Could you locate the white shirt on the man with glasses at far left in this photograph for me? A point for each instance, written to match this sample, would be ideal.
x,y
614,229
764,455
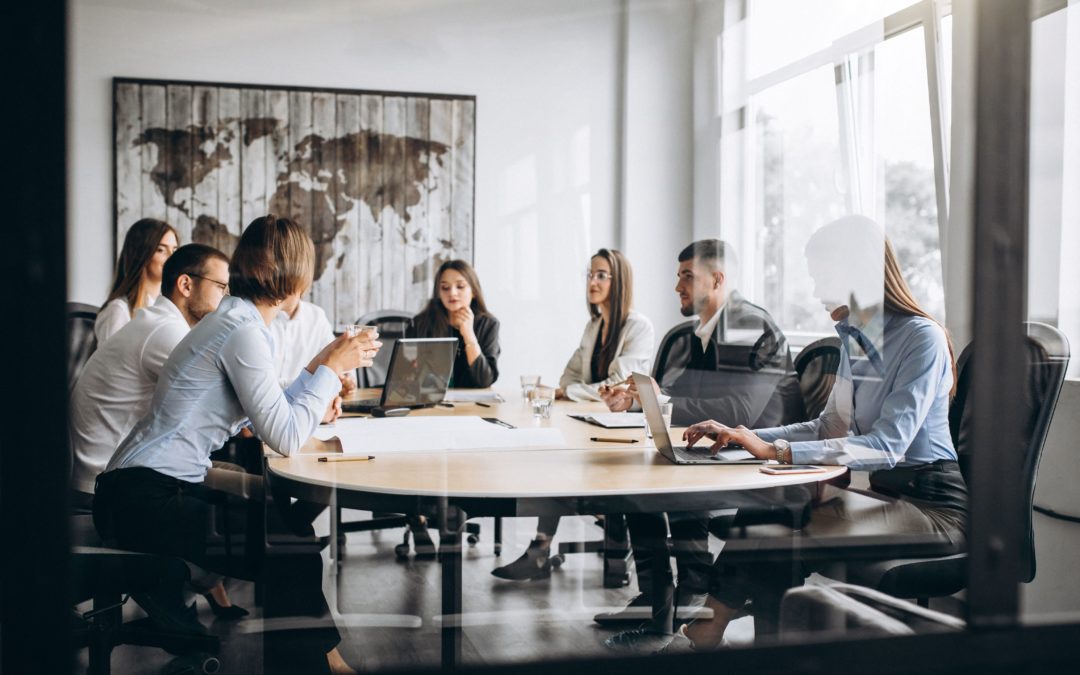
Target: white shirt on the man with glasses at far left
x,y
116,388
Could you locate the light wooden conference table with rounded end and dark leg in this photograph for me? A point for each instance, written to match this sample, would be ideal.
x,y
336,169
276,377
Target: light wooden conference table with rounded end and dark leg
x,y
580,476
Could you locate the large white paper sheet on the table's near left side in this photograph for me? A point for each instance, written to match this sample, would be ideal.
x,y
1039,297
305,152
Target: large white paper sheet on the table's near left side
x,y
427,435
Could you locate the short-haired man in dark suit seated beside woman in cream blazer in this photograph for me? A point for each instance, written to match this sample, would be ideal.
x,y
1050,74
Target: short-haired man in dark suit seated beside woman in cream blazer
x,y
733,366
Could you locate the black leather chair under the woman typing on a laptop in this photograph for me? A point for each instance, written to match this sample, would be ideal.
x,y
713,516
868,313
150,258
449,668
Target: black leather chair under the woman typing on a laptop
x,y
1048,358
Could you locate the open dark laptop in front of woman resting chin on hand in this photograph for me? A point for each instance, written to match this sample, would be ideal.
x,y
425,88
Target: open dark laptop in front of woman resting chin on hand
x,y
418,377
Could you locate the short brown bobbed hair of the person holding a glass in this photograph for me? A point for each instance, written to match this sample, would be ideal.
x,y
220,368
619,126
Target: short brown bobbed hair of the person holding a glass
x,y
275,259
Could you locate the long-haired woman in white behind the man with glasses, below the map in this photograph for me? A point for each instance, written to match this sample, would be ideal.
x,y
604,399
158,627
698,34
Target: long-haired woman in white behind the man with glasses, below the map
x,y
138,281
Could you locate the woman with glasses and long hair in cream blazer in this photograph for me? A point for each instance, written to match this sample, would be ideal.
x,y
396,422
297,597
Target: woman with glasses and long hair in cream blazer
x,y
616,343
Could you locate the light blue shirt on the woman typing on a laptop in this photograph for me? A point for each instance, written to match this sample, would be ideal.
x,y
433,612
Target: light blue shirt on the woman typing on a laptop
x,y
889,406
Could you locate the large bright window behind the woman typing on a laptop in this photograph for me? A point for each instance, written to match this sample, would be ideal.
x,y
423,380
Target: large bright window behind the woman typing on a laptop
x,y
841,110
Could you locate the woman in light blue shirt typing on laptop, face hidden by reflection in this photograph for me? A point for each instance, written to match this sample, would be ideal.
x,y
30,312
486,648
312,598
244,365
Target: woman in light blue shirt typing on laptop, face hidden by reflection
x,y
887,414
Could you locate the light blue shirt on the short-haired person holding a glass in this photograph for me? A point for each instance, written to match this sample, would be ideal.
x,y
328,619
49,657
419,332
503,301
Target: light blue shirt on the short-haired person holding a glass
x,y
220,377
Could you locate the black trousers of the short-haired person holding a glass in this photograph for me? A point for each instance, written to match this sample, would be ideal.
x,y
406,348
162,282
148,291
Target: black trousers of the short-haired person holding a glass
x,y
146,511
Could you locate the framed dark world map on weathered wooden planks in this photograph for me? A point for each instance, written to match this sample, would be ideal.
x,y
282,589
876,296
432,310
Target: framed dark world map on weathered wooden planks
x,y
384,181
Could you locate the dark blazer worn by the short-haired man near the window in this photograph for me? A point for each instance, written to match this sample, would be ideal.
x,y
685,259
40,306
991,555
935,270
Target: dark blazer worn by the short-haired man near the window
x,y
745,376
